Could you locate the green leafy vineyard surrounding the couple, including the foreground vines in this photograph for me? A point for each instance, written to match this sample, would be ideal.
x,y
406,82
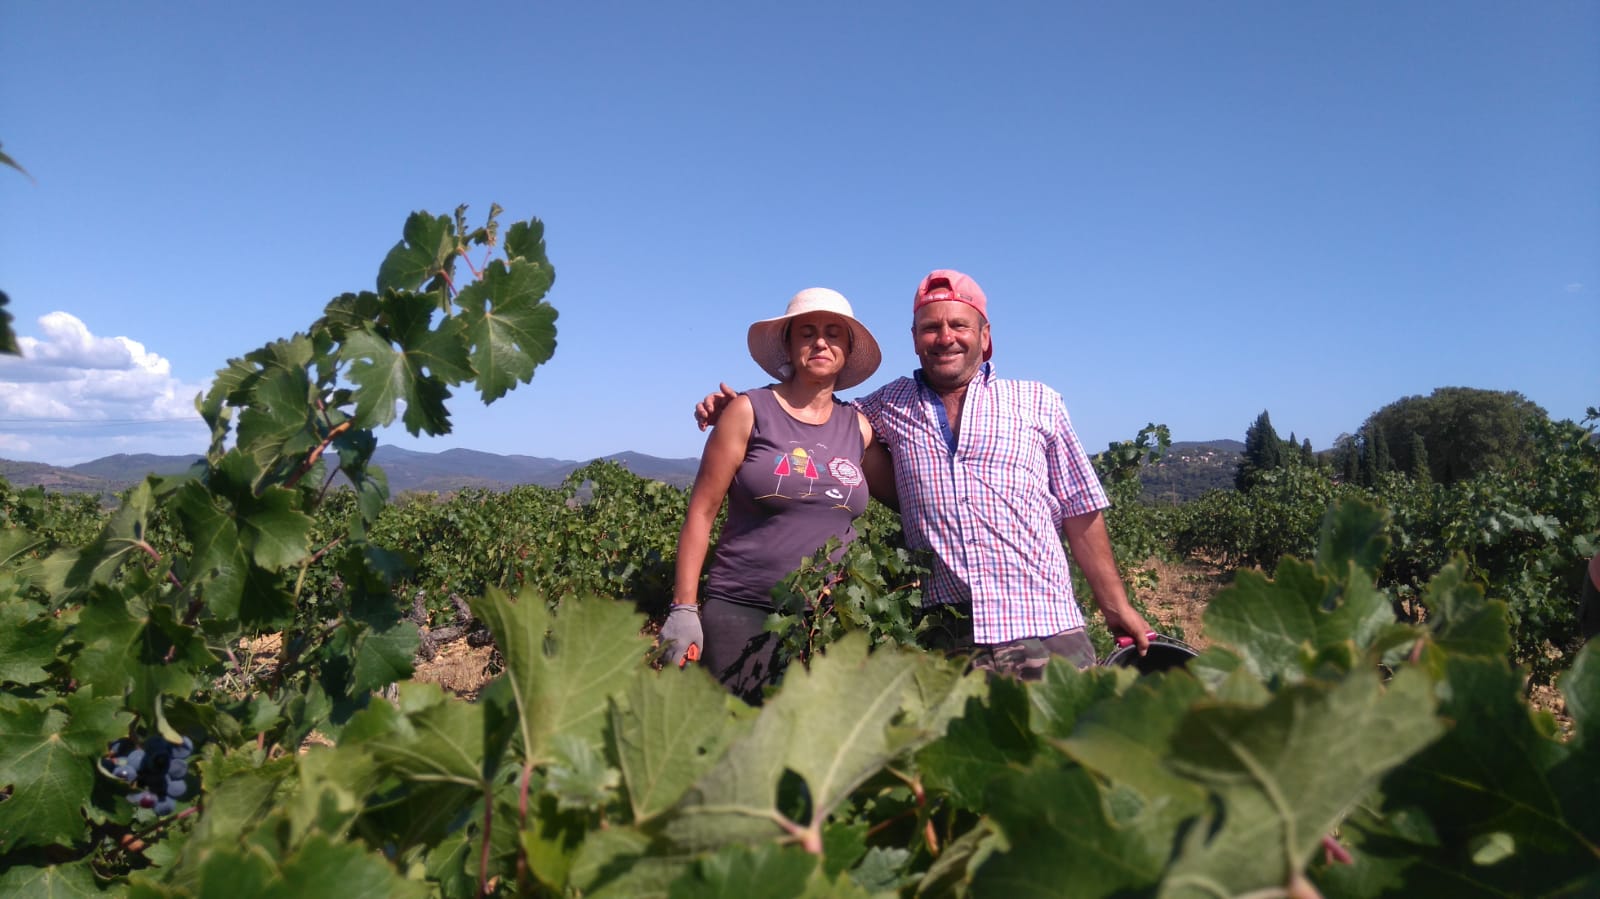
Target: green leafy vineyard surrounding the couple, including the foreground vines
x,y
207,692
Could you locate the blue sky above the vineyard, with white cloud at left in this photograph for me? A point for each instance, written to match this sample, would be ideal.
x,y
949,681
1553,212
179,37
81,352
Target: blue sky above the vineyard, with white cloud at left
x,y
1182,214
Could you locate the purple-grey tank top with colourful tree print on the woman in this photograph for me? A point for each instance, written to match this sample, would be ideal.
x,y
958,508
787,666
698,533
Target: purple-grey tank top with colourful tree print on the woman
x,y
799,485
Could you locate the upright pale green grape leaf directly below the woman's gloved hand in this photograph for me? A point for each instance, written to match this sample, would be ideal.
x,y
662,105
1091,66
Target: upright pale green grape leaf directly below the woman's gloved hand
x,y
670,730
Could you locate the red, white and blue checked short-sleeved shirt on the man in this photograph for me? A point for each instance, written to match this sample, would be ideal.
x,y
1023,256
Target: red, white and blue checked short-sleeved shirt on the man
x,y
991,503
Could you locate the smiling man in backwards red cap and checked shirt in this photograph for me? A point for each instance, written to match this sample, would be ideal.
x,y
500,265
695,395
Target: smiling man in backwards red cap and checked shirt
x,y
990,476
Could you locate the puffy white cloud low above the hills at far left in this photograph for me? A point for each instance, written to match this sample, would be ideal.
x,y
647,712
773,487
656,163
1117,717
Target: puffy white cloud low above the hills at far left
x,y
73,394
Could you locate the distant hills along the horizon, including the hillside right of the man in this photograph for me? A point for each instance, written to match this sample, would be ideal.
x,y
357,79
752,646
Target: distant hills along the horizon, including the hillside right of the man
x,y
1188,471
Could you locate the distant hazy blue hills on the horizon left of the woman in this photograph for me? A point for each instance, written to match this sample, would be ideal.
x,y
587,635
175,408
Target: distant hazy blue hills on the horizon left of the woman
x,y
407,469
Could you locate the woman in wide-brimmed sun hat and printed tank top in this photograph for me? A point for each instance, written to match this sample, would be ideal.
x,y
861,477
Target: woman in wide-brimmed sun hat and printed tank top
x,y
790,461
